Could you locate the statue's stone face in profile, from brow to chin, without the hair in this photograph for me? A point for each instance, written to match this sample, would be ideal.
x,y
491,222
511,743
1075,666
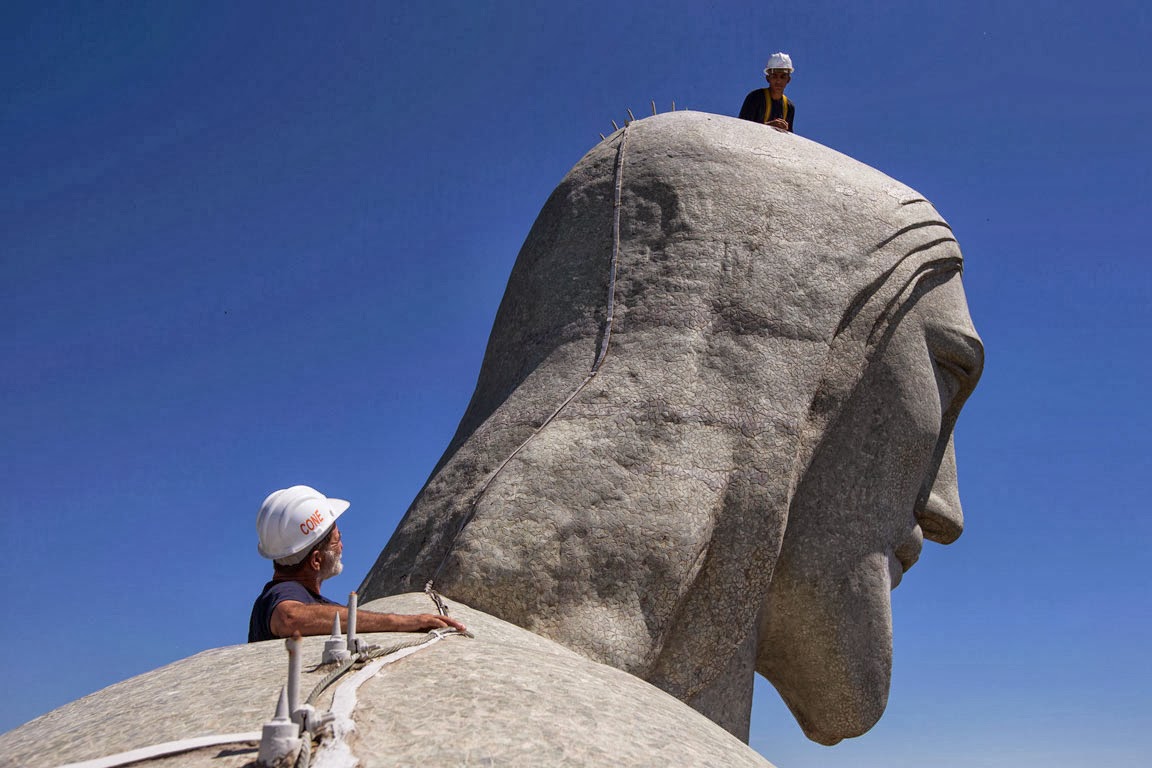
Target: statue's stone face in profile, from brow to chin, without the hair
x,y
882,481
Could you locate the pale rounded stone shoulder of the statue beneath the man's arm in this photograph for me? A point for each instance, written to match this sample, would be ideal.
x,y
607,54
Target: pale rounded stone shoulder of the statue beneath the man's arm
x,y
505,698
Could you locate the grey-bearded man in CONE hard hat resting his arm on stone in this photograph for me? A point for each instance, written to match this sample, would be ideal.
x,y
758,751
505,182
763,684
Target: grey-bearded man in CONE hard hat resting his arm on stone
x,y
298,533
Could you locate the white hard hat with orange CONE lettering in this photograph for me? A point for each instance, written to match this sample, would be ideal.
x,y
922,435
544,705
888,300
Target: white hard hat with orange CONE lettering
x,y
292,521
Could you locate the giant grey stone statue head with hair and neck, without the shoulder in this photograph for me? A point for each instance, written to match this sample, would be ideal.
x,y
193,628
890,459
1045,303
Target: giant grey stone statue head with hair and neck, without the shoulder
x,y
714,424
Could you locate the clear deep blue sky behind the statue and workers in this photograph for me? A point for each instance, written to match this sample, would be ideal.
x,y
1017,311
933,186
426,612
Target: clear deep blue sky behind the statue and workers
x,y
246,246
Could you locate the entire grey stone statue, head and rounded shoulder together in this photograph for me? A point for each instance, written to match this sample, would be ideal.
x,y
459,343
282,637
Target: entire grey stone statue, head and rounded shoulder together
x,y
711,434
